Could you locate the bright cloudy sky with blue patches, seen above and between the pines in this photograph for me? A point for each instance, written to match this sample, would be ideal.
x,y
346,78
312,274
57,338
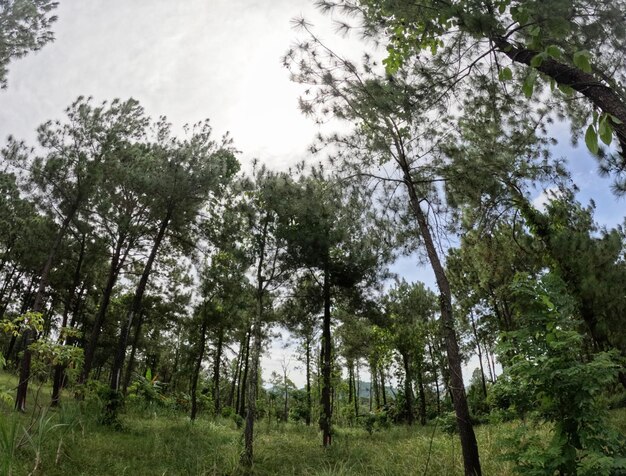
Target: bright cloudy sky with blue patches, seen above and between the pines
x,y
217,59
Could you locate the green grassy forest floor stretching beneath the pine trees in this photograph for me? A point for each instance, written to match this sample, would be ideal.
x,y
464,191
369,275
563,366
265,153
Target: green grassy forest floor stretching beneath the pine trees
x,y
157,441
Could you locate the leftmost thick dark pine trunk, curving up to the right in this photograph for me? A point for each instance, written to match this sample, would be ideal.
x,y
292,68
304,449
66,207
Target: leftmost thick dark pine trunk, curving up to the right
x,y
29,335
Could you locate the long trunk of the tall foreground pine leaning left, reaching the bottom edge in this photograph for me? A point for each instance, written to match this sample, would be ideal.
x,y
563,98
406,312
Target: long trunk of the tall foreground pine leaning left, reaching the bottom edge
x,y
469,446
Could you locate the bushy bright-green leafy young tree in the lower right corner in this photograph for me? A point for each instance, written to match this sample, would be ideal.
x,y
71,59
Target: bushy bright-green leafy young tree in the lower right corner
x,y
547,380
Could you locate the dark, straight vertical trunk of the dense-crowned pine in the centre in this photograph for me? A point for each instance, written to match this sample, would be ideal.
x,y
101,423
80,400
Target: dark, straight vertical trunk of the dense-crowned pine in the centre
x,y
325,418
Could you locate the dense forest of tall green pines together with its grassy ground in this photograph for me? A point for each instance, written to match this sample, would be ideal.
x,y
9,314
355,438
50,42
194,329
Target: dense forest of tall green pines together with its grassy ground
x,y
146,267
